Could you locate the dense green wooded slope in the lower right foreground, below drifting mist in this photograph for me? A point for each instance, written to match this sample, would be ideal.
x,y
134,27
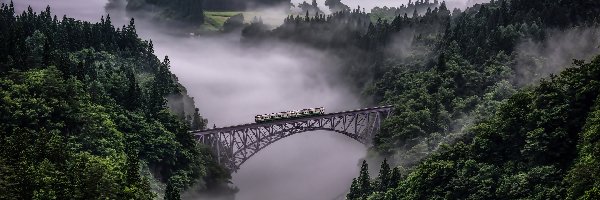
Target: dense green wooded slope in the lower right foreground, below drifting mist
x,y
543,143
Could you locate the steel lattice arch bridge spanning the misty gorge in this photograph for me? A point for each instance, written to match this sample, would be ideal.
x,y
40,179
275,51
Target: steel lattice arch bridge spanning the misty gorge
x,y
234,145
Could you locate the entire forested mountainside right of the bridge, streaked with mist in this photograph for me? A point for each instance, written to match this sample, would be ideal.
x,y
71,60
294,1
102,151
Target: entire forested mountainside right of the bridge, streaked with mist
x,y
453,78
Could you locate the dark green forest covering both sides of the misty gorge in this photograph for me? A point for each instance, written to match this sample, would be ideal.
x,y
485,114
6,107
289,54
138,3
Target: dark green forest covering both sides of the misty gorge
x,y
85,112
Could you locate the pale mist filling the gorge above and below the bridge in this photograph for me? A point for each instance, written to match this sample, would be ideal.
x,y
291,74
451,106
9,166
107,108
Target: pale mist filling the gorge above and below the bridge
x,y
231,83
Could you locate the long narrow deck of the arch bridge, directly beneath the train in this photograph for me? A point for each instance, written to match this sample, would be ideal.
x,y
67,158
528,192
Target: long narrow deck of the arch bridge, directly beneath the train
x,y
300,119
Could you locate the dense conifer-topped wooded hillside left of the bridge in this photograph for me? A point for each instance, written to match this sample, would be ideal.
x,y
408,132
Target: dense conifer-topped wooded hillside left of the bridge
x,y
84,114
